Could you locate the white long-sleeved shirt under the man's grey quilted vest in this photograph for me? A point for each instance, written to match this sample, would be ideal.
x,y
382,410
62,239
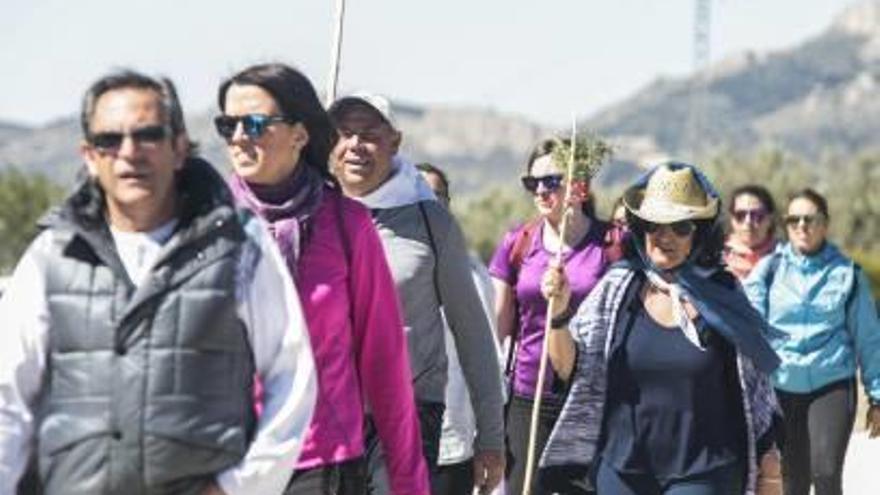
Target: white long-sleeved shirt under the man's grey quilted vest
x,y
267,304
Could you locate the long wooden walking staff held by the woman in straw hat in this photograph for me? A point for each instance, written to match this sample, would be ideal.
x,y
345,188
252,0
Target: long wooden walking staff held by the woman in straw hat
x,y
542,369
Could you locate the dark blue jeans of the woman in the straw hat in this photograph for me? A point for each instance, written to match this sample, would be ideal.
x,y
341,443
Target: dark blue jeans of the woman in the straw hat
x,y
727,480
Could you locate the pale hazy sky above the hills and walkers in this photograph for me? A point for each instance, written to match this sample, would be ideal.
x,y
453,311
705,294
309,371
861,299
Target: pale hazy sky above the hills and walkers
x,y
538,58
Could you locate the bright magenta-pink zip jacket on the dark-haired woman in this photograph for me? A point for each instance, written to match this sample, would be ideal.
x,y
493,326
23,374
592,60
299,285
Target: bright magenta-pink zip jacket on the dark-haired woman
x,y
359,356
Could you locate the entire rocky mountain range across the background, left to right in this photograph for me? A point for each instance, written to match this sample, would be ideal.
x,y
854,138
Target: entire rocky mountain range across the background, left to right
x,y
822,95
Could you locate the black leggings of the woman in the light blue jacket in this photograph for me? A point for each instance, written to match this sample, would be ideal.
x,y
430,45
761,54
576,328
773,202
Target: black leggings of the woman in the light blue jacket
x,y
817,428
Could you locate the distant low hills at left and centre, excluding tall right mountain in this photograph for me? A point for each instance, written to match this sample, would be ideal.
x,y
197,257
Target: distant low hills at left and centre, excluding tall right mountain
x,y
477,145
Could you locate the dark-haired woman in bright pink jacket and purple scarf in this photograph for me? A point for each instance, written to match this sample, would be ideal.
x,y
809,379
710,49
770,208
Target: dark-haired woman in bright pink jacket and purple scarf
x,y
279,139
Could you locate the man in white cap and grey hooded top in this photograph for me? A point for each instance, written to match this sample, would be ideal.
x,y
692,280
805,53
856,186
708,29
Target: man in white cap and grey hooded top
x,y
428,258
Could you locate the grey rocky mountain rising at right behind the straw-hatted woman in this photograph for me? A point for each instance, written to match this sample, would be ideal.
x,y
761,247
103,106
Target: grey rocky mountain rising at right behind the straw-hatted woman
x,y
822,95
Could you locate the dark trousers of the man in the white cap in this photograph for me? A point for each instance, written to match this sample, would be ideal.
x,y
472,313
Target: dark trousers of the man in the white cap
x,y
430,424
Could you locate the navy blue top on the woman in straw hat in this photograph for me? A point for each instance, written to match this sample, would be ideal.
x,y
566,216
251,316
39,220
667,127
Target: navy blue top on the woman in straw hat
x,y
673,411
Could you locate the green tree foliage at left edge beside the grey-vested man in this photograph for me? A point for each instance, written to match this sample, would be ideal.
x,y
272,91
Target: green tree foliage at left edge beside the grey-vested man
x,y
23,199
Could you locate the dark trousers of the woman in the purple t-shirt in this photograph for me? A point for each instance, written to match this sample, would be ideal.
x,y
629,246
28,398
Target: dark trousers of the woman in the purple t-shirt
x,y
518,426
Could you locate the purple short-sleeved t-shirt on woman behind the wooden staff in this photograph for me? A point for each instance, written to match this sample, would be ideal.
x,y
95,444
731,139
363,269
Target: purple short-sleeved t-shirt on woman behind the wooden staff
x,y
584,266
